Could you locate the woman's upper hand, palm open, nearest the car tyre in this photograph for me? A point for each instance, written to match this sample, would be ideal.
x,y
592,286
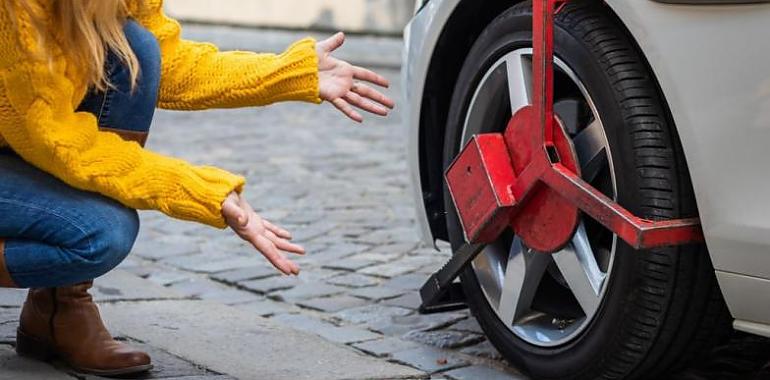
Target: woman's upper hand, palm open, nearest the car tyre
x,y
341,83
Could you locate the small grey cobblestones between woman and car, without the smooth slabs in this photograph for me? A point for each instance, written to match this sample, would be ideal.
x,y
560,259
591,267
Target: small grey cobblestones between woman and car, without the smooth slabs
x,y
343,189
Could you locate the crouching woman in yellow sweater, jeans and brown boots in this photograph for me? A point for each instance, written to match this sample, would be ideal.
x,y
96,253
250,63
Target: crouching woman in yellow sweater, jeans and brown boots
x,y
80,81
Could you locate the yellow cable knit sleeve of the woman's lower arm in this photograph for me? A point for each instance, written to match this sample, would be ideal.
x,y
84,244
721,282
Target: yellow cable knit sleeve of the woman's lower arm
x,y
39,123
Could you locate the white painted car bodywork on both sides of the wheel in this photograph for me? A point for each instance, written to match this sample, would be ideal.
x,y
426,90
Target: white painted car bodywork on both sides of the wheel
x,y
712,63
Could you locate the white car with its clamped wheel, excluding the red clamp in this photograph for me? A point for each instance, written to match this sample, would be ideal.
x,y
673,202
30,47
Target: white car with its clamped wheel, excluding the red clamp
x,y
668,105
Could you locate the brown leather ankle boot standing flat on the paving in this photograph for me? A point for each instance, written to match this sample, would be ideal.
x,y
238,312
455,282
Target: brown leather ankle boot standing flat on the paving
x,y
65,322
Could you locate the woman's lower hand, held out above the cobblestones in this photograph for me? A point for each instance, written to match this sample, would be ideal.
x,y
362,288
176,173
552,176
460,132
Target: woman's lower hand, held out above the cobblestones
x,y
267,238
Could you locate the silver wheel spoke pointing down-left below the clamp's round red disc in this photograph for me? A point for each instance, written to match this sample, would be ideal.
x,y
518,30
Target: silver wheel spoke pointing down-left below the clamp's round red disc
x,y
523,273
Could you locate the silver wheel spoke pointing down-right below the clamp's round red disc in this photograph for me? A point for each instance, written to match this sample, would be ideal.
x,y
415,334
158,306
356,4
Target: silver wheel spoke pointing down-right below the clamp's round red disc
x,y
578,265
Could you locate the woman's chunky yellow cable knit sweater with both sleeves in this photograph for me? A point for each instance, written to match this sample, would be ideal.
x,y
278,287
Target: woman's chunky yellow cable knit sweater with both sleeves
x,y
38,118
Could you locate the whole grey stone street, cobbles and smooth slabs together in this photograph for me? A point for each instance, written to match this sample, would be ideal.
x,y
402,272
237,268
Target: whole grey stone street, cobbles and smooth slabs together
x,y
195,297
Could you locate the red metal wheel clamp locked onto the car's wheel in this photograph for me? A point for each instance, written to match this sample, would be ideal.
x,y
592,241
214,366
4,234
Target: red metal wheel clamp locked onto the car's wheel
x,y
528,179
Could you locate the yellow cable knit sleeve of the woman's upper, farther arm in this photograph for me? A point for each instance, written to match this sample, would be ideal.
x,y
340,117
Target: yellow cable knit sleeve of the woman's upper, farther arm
x,y
198,76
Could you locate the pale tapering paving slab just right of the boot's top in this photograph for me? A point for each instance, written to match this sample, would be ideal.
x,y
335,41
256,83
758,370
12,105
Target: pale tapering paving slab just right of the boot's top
x,y
119,285
